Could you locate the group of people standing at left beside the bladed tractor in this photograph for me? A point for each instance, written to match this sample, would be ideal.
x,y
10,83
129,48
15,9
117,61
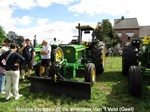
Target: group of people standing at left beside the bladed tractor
x,y
11,62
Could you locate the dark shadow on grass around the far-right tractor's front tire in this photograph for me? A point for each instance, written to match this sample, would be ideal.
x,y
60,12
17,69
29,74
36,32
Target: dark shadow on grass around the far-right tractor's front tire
x,y
120,97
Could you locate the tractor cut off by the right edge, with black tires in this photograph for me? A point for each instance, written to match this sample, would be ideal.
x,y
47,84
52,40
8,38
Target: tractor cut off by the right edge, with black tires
x,y
135,63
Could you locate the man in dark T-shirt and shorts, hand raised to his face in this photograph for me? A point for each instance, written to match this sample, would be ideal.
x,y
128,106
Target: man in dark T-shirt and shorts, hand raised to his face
x,y
28,53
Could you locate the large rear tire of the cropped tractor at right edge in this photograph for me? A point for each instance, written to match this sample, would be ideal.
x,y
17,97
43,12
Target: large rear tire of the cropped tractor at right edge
x,y
129,58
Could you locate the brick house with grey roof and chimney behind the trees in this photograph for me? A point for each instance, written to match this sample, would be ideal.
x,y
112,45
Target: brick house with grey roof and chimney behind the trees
x,y
129,27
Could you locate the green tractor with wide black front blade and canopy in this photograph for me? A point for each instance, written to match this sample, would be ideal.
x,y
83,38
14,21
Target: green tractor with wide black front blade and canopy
x,y
68,60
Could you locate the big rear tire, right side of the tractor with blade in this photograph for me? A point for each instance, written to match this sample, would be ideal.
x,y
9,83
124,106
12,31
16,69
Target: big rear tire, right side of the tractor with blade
x,y
99,56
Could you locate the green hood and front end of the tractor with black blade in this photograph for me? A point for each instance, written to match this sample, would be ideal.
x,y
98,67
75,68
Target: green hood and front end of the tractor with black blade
x,y
73,55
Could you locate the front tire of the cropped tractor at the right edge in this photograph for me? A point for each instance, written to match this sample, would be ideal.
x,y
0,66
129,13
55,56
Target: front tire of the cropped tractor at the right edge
x,y
135,81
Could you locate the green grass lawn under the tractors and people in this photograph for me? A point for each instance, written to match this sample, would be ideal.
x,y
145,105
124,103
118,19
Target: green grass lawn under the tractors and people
x,y
110,93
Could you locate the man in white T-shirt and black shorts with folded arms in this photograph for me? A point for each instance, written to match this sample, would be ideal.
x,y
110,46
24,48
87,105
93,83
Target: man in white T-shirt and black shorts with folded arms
x,y
45,56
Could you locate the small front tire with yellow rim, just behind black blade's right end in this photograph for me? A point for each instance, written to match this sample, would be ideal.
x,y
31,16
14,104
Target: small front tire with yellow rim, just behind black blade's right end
x,y
90,73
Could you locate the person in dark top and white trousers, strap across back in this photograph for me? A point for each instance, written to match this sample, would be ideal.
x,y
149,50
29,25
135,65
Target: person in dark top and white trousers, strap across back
x,y
12,71
